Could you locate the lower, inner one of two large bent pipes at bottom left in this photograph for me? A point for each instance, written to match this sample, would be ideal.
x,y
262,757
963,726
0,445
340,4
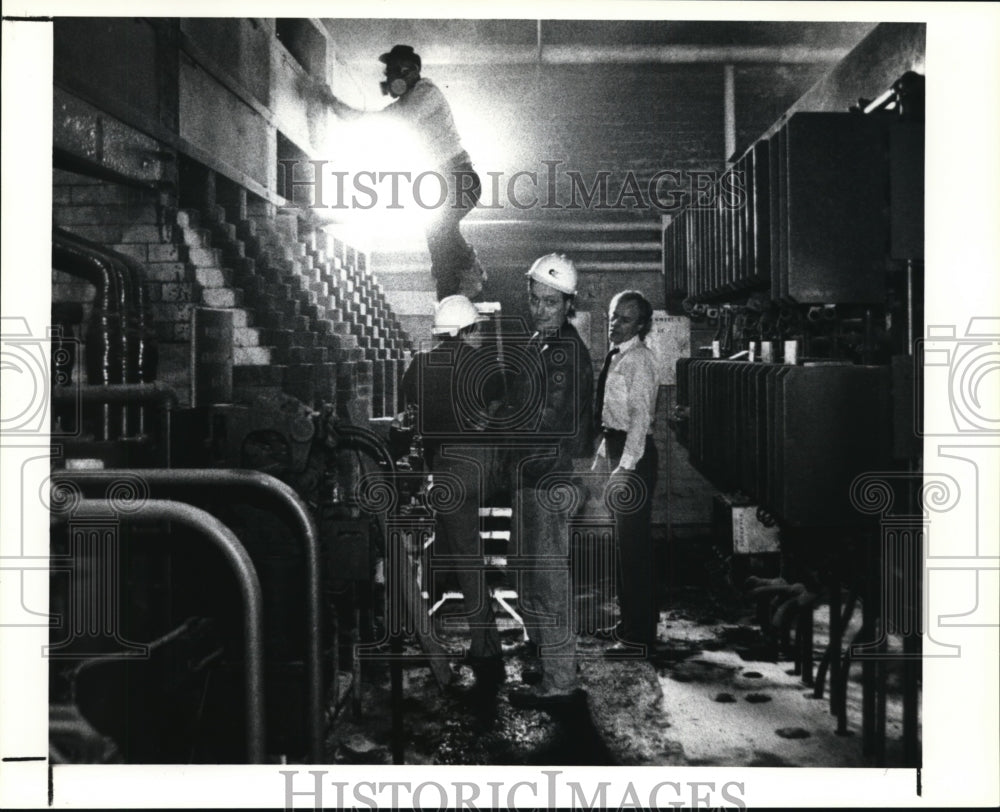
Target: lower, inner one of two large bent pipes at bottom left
x,y
236,555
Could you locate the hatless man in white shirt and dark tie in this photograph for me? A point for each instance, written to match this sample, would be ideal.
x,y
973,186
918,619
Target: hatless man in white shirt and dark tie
x,y
624,412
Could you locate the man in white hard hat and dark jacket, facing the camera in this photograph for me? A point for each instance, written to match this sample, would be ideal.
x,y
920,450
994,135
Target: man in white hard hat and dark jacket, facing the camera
x,y
557,385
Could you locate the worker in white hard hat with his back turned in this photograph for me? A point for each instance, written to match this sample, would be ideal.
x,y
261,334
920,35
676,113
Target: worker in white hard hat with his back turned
x,y
462,456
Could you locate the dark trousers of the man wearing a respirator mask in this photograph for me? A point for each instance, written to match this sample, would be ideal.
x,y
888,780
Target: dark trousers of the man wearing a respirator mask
x,y
450,254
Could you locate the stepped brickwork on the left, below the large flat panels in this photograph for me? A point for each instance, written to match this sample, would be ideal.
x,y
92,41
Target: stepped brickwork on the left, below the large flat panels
x,y
309,318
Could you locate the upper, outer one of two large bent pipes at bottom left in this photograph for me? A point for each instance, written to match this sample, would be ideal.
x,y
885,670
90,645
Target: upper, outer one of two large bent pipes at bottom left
x,y
251,480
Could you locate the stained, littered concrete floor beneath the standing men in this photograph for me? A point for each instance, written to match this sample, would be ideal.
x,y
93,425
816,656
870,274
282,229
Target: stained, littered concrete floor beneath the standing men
x,y
704,700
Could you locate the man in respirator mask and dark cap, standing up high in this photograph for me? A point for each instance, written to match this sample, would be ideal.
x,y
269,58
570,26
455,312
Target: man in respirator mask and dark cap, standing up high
x,y
422,109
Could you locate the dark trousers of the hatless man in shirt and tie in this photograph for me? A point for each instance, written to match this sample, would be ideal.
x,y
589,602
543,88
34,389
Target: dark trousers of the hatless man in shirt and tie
x,y
636,573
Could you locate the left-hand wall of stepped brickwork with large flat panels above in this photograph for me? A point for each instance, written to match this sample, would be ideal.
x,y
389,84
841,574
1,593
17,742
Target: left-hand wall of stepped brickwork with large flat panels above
x,y
192,107
